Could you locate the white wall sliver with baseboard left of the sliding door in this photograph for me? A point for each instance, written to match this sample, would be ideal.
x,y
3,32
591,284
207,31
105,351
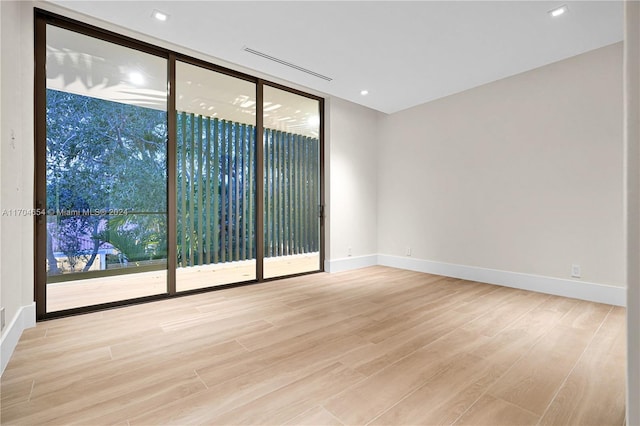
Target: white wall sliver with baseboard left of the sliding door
x,y
16,172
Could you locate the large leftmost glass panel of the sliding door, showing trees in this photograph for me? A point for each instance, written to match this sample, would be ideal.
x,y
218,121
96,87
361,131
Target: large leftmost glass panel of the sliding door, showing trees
x,y
106,175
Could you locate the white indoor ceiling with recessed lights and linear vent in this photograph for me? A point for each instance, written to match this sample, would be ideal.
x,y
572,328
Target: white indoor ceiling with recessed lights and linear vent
x,y
403,53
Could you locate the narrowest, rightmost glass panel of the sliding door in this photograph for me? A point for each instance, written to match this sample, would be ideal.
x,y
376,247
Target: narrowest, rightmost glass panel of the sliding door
x,y
291,183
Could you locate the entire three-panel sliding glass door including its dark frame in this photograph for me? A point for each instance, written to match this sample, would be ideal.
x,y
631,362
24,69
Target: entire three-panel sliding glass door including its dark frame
x,y
158,174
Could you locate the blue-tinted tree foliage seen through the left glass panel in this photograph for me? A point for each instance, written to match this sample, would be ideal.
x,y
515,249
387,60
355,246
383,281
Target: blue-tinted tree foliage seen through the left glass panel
x,y
105,157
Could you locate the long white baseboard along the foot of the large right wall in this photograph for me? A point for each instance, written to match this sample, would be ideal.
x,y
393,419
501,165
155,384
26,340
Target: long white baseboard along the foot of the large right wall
x,y
592,292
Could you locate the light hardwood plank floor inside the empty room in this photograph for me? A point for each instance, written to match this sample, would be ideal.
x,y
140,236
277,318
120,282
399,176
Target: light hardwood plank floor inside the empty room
x,y
376,346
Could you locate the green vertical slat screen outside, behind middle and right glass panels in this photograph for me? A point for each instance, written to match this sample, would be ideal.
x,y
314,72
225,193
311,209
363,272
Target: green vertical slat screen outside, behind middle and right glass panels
x,y
216,191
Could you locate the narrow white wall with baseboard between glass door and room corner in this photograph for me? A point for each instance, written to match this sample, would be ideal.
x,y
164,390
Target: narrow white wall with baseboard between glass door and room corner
x,y
351,167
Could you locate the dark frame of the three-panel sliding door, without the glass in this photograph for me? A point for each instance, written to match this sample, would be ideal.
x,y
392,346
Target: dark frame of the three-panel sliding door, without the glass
x,y
42,19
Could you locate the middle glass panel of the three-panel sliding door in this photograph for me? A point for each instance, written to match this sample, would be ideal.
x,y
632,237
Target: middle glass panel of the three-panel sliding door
x,y
216,190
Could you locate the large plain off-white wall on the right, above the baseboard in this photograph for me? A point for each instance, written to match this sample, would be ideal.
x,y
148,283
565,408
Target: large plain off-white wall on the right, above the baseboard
x,y
521,175
